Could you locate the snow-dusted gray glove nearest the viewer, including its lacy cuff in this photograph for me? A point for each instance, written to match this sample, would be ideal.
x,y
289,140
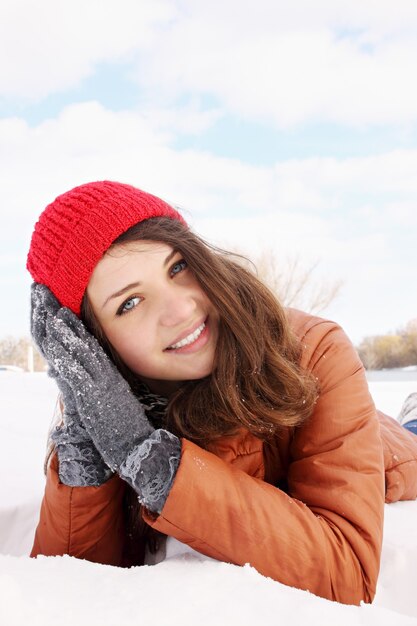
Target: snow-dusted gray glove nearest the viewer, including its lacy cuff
x,y
112,415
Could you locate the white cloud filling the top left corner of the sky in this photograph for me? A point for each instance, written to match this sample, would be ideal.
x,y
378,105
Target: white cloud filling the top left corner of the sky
x,y
50,46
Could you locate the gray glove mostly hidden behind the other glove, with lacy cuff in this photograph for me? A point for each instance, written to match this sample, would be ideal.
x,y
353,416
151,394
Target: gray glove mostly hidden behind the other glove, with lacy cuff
x,y
80,463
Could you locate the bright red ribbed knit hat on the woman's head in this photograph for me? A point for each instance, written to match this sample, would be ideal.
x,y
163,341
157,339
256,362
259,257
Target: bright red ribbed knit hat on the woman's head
x,y
75,230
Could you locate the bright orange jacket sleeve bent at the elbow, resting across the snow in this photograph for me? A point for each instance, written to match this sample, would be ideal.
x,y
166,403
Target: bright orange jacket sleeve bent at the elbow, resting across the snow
x,y
325,533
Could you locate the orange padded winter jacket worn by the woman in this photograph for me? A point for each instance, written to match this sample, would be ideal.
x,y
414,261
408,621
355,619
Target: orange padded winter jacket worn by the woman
x,y
305,510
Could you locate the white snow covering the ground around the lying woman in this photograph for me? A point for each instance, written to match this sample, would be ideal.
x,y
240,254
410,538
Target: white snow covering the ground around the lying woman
x,y
185,588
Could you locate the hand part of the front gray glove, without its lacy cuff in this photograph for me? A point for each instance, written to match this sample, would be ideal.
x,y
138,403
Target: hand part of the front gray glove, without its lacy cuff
x,y
110,412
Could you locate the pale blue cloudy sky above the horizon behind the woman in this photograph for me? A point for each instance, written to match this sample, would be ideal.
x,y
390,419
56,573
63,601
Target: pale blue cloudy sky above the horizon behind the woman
x,y
285,128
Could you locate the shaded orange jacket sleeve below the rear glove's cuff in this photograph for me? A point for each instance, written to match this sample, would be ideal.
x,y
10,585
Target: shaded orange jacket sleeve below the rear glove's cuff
x,y
85,522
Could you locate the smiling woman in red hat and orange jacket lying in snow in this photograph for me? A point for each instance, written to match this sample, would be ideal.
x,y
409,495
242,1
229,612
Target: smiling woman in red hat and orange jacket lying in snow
x,y
243,430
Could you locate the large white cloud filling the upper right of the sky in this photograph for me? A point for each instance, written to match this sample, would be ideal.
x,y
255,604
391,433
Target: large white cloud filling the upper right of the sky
x,y
290,63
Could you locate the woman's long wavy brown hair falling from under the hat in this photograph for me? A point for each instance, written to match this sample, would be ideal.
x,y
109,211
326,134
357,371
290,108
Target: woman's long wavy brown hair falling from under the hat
x,y
257,382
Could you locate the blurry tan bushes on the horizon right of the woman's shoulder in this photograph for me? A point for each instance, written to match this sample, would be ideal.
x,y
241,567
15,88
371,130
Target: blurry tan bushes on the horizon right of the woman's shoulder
x,y
397,349
